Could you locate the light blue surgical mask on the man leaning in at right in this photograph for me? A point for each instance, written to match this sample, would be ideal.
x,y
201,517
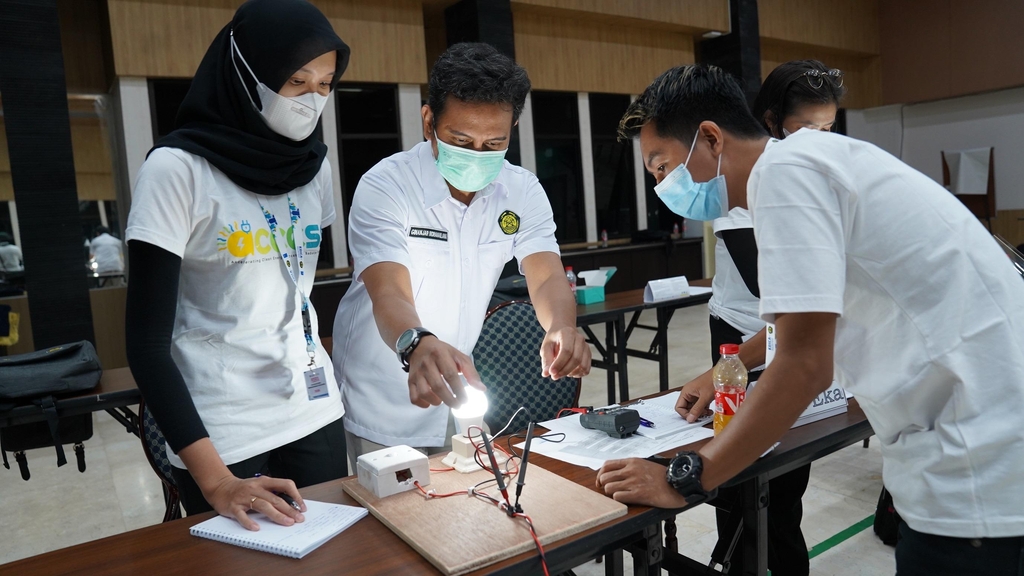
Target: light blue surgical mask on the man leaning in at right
x,y
697,201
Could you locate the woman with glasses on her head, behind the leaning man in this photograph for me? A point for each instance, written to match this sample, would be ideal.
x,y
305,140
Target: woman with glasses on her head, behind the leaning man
x,y
796,96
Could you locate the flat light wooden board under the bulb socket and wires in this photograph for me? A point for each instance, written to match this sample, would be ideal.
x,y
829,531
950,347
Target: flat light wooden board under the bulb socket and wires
x,y
464,533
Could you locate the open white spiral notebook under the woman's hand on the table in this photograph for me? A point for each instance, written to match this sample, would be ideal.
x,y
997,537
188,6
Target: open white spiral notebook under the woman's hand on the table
x,y
324,521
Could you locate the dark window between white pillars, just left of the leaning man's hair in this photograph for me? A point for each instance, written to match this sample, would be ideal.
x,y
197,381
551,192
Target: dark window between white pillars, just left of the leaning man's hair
x,y
615,187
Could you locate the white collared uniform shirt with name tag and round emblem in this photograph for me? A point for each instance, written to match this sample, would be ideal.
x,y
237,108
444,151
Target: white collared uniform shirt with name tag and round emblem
x,y
404,213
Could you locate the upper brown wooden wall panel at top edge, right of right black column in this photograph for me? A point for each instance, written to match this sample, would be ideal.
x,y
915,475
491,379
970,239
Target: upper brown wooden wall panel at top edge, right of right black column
x,y
844,25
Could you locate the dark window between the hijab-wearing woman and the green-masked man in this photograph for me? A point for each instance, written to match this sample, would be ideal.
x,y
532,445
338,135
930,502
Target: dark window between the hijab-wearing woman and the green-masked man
x,y
368,133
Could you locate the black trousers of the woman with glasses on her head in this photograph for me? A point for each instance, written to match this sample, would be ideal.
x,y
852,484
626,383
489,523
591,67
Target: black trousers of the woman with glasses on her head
x,y
787,548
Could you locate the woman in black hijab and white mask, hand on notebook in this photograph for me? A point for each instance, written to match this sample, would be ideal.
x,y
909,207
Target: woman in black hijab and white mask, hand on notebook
x,y
227,220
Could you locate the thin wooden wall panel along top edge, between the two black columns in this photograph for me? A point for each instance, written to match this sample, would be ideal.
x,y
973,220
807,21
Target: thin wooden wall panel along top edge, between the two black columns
x,y
695,17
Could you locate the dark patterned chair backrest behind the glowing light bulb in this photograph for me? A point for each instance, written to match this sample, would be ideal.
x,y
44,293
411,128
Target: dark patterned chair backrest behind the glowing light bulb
x,y
507,356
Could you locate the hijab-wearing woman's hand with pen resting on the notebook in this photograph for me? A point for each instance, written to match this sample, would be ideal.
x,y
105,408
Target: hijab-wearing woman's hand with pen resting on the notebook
x,y
234,498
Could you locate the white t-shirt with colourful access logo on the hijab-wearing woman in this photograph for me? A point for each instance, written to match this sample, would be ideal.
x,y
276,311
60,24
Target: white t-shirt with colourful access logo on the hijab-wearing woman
x,y
238,334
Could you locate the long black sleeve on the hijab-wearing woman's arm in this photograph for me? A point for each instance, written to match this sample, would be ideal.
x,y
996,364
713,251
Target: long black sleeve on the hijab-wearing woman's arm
x,y
153,297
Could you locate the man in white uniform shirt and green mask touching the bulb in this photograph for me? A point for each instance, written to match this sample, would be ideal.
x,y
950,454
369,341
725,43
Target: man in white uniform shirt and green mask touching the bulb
x,y
431,231
